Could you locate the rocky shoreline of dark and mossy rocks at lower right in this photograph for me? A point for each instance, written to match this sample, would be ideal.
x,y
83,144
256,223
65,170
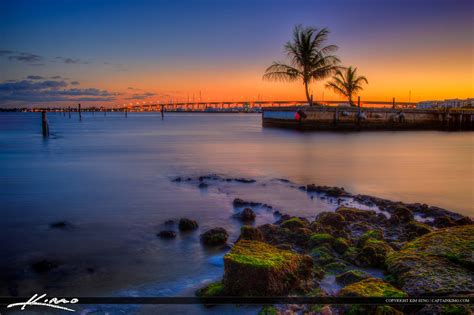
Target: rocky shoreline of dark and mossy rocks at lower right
x,y
293,255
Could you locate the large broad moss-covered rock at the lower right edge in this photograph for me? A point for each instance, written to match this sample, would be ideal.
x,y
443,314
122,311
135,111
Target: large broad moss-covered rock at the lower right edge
x,y
438,263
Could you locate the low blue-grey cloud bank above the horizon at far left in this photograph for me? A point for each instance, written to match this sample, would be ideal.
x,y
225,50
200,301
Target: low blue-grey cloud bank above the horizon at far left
x,y
37,91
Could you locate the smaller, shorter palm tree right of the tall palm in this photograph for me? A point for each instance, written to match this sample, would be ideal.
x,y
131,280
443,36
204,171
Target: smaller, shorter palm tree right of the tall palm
x,y
347,83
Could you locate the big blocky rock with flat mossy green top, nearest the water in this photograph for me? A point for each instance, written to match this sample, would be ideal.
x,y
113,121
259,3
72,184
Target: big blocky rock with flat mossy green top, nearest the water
x,y
253,268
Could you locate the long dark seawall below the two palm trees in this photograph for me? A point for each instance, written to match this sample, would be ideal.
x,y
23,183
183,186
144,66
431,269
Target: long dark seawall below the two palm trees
x,y
343,118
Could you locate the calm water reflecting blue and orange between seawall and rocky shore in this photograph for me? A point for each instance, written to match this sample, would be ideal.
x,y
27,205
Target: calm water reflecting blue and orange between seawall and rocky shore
x,y
110,177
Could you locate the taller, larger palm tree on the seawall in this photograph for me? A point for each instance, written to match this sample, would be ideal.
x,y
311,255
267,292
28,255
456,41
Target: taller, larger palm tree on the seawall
x,y
310,60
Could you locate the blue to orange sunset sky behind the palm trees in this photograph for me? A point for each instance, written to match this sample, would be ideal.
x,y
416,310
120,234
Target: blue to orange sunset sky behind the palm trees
x,y
116,52
